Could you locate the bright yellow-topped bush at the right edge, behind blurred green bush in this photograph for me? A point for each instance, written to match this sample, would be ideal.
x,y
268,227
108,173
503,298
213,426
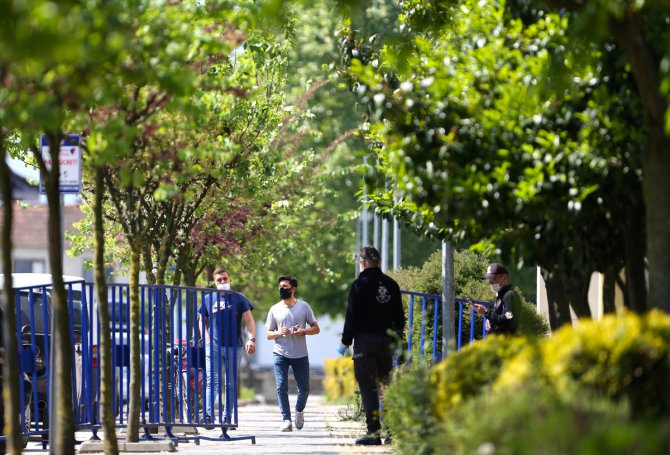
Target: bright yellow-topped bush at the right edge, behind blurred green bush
x,y
621,357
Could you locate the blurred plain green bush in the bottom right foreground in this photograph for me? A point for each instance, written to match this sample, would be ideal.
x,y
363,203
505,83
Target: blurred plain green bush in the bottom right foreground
x,y
535,420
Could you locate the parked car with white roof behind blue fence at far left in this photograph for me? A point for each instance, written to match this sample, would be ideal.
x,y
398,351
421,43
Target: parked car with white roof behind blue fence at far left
x,y
35,297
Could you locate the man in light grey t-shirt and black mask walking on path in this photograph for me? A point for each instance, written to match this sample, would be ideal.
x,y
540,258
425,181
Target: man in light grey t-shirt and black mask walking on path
x,y
289,321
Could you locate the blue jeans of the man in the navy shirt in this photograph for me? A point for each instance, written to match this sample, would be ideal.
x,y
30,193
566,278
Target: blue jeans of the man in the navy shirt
x,y
220,367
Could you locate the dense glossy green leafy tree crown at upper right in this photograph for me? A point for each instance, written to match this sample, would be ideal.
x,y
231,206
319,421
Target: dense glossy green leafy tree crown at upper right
x,y
477,147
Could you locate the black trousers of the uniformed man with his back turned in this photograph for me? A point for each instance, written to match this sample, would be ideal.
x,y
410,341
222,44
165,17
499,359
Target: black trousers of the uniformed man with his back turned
x,y
373,362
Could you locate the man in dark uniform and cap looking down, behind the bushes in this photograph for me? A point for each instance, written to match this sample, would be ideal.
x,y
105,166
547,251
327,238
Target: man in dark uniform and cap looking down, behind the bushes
x,y
500,318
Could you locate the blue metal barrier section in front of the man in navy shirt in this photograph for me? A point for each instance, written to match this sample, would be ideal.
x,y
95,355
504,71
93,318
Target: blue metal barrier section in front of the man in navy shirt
x,y
173,356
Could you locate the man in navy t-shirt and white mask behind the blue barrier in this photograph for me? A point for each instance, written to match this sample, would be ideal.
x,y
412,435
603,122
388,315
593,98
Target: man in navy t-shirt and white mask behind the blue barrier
x,y
219,319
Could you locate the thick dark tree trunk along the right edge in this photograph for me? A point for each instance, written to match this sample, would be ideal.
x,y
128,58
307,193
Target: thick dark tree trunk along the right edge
x,y
640,30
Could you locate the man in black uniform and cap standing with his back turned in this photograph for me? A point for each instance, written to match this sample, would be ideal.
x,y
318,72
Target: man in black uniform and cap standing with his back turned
x,y
374,321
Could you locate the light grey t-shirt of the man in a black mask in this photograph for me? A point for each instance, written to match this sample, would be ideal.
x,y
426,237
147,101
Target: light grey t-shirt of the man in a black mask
x,y
279,316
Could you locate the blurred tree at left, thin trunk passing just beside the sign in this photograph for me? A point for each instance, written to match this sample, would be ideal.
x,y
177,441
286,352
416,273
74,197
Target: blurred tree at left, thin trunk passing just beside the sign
x,y
57,56
